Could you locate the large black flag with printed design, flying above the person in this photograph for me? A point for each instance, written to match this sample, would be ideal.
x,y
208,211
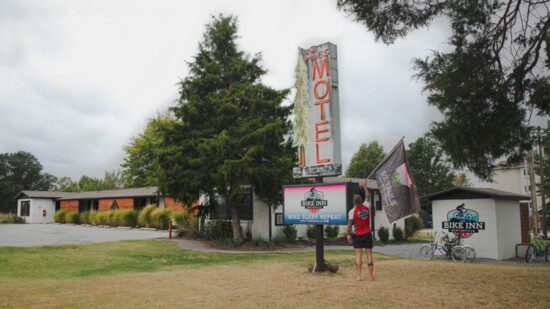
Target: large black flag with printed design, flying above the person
x,y
396,185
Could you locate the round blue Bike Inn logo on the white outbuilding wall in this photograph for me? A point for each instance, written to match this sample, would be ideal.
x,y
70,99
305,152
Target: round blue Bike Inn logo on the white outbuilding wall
x,y
463,222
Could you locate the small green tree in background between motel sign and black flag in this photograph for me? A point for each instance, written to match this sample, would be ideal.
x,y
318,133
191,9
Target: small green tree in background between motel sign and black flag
x,y
365,160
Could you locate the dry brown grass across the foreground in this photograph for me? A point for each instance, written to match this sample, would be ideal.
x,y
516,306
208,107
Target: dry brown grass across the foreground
x,y
399,283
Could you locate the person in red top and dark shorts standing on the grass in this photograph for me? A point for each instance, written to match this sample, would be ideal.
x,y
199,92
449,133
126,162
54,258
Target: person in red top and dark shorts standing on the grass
x,y
360,217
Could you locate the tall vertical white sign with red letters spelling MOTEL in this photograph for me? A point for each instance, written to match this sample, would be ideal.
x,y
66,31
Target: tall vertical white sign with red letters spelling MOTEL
x,y
317,113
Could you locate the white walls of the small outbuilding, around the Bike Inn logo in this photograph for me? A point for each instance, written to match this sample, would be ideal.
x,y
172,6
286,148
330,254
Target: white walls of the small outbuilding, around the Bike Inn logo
x,y
502,225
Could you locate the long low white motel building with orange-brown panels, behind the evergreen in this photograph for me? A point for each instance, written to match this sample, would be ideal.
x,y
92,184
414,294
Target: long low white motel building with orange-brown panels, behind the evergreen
x,y
257,219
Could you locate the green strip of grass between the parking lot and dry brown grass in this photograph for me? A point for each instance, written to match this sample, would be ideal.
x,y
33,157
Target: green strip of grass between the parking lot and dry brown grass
x,y
78,261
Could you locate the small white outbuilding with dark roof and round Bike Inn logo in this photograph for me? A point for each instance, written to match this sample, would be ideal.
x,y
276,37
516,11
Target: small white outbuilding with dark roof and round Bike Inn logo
x,y
492,221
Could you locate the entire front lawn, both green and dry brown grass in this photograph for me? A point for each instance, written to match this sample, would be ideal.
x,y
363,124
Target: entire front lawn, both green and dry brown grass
x,y
159,274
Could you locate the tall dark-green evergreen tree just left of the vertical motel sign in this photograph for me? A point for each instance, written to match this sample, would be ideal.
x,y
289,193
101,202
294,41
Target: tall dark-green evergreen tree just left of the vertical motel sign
x,y
232,130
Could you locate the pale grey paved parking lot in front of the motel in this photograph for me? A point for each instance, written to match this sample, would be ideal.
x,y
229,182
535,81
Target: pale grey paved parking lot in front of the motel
x,y
27,235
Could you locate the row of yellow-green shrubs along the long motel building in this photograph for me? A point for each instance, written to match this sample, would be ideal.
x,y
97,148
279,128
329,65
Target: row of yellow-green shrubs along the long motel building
x,y
151,216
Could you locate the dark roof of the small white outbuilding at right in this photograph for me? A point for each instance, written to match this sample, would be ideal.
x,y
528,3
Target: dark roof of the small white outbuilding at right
x,y
475,193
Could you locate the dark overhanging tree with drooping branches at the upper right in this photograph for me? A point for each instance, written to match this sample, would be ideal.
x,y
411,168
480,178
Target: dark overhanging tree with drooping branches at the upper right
x,y
490,82
